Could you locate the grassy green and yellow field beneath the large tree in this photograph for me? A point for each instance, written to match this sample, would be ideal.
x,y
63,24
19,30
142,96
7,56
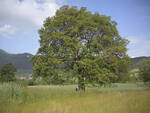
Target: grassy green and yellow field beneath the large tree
x,y
121,98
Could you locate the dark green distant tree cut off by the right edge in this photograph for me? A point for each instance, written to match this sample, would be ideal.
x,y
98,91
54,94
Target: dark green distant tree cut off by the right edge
x,y
144,70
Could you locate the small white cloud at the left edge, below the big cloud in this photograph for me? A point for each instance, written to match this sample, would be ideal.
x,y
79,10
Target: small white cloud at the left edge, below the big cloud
x,y
7,30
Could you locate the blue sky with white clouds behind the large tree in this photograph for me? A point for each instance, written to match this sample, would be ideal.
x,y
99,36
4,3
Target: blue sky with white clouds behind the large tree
x,y
20,20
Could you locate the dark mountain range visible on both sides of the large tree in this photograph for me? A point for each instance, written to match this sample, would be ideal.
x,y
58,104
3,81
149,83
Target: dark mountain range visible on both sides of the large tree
x,y
23,64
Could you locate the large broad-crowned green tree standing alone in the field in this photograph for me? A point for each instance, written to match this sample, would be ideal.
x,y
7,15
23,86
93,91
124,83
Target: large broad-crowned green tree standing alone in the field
x,y
88,44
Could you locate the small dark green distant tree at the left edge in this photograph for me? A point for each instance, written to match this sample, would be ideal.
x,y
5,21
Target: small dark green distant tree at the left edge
x,y
7,72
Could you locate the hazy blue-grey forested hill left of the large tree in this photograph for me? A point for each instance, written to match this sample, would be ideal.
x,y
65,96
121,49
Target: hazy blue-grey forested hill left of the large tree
x,y
20,61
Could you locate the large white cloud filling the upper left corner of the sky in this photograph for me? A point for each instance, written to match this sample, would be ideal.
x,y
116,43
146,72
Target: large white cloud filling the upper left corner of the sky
x,y
27,13
